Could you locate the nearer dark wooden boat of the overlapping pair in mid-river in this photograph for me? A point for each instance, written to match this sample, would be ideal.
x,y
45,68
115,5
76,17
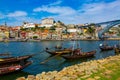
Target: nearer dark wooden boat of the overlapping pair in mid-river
x,y
78,54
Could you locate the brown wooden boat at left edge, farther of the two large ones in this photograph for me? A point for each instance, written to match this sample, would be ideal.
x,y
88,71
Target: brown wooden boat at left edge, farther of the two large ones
x,y
14,59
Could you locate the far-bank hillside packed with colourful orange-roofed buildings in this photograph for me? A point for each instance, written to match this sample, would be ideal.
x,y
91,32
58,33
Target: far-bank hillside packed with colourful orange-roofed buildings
x,y
49,29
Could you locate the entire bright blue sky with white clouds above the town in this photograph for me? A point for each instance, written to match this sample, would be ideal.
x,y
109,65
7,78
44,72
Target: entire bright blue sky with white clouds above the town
x,y
15,12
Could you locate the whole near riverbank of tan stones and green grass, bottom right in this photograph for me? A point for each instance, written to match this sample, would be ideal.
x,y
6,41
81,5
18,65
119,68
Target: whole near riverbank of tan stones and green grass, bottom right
x,y
104,69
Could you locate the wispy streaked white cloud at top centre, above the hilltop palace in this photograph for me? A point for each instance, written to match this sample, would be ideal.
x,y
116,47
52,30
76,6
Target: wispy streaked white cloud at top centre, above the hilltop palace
x,y
55,9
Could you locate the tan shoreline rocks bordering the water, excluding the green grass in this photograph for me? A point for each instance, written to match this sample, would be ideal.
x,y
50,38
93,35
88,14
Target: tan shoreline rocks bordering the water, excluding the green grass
x,y
79,71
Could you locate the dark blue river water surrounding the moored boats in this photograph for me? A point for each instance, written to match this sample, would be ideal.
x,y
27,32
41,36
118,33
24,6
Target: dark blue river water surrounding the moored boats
x,y
56,63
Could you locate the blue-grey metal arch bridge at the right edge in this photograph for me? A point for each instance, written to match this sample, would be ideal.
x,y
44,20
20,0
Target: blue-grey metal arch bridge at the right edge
x,y
109,25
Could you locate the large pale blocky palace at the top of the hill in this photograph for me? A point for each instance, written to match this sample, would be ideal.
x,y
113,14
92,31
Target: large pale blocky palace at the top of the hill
x,y
47,22
